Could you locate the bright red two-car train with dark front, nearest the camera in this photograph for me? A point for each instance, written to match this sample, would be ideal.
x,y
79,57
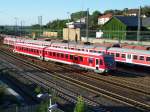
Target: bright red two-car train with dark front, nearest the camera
x,y
98,62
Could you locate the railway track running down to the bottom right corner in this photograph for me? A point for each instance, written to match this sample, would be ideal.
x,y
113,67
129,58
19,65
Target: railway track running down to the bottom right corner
x,y
102,92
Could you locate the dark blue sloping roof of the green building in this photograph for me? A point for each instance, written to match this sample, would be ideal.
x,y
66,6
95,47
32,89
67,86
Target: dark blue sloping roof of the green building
x,y
128,20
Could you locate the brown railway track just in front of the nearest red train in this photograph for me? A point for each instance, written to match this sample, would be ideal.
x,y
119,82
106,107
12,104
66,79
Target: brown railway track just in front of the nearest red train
x,y
113,80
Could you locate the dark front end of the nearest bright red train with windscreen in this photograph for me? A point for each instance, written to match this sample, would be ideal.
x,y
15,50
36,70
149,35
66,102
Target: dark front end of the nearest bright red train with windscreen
x,y
110,64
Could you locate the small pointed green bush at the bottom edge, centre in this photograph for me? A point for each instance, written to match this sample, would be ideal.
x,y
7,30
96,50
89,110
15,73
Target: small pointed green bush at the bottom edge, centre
x,y
80,106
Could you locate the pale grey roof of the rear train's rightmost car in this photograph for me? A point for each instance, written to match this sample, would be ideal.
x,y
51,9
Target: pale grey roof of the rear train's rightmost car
x,y
134,51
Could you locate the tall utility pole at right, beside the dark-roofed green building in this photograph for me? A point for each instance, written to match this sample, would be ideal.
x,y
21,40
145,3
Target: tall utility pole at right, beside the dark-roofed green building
x,y
139,25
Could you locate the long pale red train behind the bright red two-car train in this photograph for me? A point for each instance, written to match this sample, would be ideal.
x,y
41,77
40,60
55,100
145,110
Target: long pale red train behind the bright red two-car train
x,y
123,55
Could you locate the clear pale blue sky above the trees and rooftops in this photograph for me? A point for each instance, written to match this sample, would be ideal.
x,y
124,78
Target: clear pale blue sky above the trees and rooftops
x,y
29,10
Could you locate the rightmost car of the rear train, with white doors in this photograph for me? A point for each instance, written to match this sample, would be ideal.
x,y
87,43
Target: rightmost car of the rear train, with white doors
x,y
132,56
